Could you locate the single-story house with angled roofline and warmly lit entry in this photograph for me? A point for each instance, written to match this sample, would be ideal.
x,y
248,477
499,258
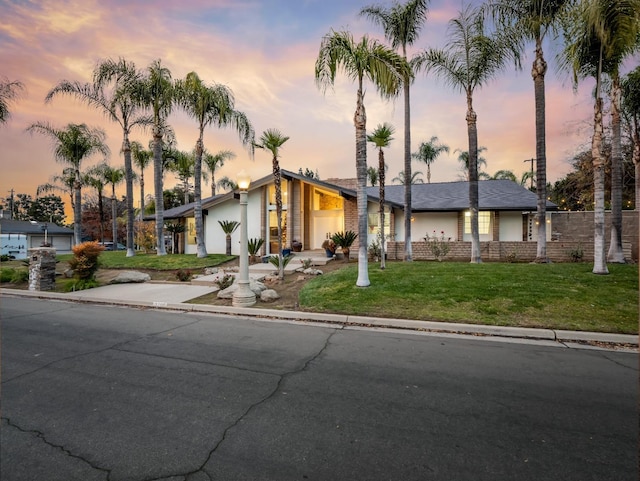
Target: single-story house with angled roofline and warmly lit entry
x,y
313,210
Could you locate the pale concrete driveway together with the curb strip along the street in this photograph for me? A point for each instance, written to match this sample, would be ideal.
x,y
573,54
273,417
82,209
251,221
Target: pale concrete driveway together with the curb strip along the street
x,y
176,296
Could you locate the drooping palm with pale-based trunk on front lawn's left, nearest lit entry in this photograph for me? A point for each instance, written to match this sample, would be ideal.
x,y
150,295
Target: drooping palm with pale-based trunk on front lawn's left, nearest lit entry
x,y
386,70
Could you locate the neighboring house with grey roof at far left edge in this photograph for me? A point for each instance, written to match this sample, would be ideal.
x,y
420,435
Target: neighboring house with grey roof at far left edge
x,y
17,236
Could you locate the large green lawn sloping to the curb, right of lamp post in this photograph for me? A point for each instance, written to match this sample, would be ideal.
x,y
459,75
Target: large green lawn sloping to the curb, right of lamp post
x,y
559,296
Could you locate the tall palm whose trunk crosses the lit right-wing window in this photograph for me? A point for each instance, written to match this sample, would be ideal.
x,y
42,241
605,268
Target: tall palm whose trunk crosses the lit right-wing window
x,y
471,59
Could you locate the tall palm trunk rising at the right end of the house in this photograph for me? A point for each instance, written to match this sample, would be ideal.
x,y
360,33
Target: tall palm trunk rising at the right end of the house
x,y
538,72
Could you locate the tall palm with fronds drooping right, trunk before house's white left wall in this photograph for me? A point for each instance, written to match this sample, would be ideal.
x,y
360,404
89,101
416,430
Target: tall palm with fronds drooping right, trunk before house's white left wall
x,y
209,105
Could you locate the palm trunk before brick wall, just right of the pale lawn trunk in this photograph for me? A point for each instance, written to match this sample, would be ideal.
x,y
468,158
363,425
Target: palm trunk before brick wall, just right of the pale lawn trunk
x,y
615,247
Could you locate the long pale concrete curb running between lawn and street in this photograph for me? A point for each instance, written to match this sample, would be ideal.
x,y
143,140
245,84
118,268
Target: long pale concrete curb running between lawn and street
x,y
568,338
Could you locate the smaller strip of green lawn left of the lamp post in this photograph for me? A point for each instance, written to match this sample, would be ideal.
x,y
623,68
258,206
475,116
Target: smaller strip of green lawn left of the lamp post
x,y
119,260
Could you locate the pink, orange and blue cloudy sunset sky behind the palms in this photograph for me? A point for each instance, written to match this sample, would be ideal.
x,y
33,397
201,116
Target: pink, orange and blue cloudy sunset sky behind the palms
x,y
265,51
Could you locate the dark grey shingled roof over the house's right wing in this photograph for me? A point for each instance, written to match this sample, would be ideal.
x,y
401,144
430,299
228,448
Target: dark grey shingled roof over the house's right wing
x,y
454,196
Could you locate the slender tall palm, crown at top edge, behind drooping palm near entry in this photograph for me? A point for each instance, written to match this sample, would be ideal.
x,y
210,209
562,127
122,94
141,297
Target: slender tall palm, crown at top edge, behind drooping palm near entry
x,y
402,24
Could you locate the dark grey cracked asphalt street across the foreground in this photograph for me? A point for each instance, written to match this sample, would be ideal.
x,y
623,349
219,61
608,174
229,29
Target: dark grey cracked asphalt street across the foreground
x,y
116,393
